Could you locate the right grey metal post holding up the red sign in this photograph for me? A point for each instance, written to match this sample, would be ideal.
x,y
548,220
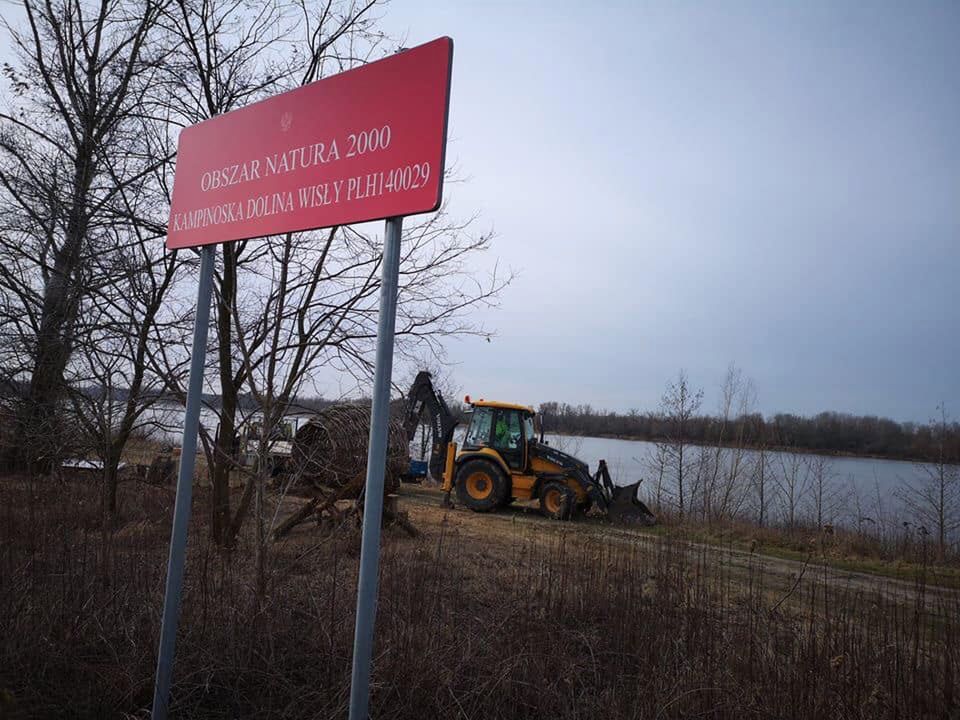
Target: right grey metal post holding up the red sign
x,y
376,467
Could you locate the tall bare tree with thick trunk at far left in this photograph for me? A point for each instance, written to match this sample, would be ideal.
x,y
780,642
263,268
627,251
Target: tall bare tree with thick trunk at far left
x,y
77,90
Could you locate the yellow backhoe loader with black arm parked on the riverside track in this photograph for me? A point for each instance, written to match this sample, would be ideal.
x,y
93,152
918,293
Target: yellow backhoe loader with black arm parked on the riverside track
x,y
501,459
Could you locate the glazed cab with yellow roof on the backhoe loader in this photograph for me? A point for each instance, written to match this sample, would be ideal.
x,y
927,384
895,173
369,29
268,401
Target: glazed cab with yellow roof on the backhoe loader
x,y
504,428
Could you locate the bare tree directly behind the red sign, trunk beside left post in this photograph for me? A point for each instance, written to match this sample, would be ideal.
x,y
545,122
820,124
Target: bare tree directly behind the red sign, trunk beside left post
x,y
229,57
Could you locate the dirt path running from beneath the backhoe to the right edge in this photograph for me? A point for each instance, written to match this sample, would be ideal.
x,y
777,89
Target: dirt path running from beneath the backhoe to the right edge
x,y
780,576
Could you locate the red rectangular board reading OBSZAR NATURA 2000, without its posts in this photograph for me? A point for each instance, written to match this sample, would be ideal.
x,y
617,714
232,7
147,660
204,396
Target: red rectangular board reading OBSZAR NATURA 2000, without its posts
x,y
363,145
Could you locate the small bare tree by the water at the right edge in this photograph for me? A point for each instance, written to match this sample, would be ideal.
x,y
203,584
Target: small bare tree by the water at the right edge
x,y
933,496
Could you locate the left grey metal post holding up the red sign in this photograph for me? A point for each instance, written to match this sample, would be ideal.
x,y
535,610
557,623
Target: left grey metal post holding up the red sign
x,y
181,509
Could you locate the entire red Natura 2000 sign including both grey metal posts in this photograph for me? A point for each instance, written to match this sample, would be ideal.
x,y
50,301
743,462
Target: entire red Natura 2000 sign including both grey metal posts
x,y
365,144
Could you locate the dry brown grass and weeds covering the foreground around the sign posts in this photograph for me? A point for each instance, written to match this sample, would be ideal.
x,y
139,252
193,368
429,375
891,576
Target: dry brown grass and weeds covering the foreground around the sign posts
x,y
478,619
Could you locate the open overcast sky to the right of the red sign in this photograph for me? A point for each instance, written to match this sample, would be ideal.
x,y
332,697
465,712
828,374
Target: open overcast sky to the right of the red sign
x,y
685,185
